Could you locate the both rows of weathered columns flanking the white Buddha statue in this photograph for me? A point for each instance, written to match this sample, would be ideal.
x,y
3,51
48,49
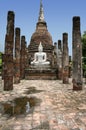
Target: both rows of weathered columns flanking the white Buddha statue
x,y
15,66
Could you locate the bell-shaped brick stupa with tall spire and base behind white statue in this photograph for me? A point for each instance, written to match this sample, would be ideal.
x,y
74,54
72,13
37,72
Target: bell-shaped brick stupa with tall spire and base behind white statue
x,y
43,37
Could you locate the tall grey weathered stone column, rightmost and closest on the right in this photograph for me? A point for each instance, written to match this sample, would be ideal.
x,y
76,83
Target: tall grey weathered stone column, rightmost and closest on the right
x,y
77,54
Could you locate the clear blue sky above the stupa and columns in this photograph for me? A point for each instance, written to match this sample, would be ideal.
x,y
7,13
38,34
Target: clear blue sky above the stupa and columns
x,y
58,15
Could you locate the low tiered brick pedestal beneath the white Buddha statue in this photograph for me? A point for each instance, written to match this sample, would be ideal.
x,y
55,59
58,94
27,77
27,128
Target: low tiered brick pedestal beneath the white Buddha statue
x,y
41,73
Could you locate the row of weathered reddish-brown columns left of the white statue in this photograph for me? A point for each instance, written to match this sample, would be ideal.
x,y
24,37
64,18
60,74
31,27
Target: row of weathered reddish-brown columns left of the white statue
x,y
14,60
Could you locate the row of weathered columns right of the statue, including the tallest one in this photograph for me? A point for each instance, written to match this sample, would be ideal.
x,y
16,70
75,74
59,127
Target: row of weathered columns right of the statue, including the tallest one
x,y
63,57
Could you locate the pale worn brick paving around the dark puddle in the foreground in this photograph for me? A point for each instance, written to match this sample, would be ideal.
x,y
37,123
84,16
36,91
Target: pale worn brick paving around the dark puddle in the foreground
x,y
60,108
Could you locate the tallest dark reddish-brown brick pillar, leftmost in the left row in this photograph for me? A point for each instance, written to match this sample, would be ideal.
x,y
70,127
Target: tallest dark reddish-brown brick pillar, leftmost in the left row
x,y
8,57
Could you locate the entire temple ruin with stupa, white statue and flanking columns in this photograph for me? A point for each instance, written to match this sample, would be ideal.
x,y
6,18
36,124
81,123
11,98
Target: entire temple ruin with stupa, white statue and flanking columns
x,y
41,59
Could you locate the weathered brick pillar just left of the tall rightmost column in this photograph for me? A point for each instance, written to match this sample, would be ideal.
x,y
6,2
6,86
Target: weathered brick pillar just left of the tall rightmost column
x,y
65,59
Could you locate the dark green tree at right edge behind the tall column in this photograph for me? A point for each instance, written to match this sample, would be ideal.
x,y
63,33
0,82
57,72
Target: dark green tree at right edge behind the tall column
x,y
84,52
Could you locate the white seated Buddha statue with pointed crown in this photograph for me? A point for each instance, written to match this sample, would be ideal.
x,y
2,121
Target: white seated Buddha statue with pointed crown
x,y
40,57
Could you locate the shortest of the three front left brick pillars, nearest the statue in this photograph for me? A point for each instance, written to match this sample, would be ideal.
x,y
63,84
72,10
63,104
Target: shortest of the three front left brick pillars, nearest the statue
x,y
22,57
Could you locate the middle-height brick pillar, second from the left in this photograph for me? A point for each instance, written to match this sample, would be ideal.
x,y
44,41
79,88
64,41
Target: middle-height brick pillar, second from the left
x,y
17,56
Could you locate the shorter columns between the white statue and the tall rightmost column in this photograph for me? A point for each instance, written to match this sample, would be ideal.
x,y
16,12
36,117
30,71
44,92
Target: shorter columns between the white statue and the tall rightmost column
x,y
63,59
